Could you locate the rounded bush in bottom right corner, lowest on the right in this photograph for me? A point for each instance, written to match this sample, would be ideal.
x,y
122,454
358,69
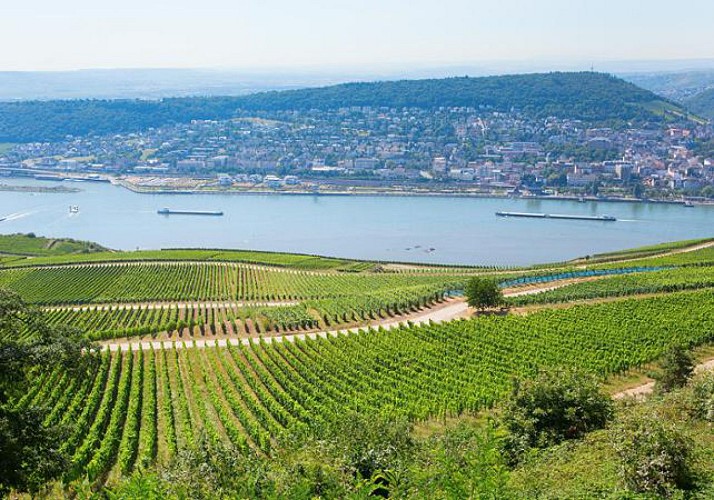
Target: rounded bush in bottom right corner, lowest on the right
x,y
652,453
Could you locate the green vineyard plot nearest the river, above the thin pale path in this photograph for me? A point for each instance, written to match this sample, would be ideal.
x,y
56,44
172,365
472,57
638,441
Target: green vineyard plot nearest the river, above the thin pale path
x,y
182,281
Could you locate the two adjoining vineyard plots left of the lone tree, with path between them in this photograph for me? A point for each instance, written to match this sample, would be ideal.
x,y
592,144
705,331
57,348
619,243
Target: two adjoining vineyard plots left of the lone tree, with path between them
x,y
189,299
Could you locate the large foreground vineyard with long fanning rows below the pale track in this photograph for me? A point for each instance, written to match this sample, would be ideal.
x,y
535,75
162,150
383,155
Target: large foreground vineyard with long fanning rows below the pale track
x,y
137,408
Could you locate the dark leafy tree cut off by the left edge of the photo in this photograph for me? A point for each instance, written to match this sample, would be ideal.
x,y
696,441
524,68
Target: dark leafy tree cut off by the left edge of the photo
x,y
29,451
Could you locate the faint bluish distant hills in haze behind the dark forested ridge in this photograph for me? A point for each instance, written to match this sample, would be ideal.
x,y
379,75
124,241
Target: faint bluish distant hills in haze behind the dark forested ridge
x,y
156,83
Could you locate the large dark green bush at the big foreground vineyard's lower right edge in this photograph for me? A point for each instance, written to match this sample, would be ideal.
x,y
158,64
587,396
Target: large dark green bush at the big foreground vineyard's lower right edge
x,y
554,407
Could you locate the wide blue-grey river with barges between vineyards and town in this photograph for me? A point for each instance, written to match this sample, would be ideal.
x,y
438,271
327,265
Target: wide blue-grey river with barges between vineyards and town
x,y
418,229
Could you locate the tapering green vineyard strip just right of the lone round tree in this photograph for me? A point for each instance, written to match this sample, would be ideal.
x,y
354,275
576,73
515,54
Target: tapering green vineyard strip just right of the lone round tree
x,y
671,280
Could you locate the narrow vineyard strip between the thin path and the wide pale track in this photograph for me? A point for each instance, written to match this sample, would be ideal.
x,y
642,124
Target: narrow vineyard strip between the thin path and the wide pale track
x,y
216,320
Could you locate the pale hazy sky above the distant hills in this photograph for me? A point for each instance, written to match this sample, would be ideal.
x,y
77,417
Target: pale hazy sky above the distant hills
x,y
71,34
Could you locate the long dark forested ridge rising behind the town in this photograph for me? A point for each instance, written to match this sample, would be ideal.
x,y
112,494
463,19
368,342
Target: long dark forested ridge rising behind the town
x,y
593,97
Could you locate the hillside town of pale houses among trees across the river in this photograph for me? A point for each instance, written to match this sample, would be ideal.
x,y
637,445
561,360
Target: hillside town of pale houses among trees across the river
x,y
367,149
